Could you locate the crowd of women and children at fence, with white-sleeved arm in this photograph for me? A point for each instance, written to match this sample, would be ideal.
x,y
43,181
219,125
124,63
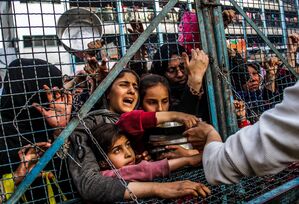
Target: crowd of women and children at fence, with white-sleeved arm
x,y
107,155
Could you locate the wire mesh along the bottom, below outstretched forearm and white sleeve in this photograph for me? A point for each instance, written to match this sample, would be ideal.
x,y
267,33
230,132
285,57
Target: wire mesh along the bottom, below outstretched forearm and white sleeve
x,y
247,190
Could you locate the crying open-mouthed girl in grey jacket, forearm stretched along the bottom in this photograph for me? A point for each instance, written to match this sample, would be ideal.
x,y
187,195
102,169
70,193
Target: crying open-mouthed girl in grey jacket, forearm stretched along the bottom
x,y
122,97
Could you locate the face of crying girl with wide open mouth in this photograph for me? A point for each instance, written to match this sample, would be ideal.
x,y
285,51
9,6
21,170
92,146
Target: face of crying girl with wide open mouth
x,y
123,95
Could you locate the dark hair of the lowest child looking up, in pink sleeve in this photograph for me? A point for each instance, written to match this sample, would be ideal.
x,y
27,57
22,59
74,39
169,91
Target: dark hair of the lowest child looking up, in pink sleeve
x,y
106,135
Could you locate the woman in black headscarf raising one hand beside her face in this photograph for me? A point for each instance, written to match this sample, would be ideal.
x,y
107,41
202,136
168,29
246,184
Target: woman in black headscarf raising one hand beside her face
x,y
185,78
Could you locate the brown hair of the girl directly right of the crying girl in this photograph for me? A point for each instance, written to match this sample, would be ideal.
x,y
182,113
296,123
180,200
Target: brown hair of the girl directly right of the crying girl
x,y
149,81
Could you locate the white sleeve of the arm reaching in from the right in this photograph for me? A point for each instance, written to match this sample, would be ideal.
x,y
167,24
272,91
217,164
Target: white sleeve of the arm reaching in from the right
x,y
266,147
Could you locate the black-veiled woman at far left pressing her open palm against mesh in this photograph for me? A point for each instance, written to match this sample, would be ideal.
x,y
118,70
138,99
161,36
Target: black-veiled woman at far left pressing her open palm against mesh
x,y
29,85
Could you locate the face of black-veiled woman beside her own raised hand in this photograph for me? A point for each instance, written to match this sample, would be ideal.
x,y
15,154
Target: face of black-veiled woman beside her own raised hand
x,y
175,72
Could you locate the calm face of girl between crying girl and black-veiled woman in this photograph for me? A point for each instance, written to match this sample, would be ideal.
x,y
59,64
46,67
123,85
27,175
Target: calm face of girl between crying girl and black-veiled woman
x,y
156,99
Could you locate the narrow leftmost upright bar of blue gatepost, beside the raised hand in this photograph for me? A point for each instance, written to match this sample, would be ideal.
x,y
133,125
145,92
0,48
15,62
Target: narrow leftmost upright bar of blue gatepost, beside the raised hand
x,y
209,80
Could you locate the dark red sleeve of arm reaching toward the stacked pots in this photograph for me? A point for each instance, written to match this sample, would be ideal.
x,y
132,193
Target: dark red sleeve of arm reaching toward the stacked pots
x,y
136,121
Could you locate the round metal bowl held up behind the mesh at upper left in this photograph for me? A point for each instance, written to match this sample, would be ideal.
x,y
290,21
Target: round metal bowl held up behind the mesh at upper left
x,y
76,28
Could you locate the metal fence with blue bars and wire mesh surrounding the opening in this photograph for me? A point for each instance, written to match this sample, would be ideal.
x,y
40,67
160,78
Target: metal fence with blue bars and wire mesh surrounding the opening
x,y
258,42
